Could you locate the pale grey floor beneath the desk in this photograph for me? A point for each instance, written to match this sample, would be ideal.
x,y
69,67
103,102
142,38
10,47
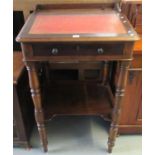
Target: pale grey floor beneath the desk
x,y
77,135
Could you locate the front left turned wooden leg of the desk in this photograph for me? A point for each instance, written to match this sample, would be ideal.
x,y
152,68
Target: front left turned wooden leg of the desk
x,y
35,92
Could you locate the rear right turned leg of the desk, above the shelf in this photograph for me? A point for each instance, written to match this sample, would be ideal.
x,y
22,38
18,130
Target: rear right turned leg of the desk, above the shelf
x,y
105,72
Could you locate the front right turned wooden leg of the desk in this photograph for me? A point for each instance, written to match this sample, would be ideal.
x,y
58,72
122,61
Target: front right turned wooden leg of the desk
x,y
120,89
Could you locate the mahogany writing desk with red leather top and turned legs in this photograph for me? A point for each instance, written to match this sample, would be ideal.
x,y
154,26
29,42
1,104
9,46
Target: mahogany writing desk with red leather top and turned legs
x,y
83,34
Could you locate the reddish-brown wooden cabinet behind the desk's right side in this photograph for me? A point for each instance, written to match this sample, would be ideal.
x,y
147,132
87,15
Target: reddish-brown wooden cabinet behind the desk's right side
x,y
131,118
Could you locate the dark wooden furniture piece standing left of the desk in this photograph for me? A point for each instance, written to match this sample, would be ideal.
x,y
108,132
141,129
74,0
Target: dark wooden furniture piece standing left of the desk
x,y
23,118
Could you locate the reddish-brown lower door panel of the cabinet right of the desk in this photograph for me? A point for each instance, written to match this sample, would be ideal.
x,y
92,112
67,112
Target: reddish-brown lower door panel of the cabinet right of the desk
x,y
132,114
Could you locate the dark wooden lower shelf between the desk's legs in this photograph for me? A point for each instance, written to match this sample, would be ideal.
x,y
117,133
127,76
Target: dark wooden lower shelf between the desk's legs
x,y
76,99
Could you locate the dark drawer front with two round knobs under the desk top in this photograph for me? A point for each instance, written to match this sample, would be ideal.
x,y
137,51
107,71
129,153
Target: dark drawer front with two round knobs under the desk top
x,y
77,49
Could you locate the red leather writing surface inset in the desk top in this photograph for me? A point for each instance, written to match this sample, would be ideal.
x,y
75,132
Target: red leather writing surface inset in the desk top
x,y
77,24
